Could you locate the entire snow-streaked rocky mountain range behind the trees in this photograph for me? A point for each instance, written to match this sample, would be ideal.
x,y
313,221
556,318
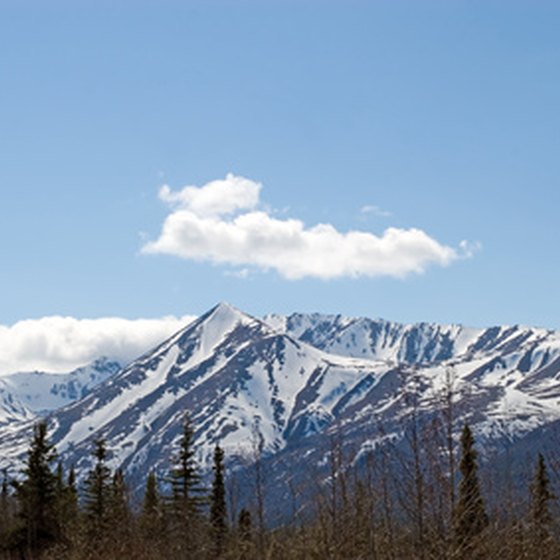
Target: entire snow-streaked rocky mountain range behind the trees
x,y
286,386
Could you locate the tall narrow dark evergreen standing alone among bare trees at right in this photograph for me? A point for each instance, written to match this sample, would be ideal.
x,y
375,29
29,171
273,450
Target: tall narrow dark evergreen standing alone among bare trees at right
x,y
470,515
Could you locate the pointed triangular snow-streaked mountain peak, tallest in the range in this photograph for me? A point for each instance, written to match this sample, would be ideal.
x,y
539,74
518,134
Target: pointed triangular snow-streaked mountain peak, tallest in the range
x,y
232,372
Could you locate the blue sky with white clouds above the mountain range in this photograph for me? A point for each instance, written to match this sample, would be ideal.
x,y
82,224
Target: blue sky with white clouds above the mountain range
x,y
371,158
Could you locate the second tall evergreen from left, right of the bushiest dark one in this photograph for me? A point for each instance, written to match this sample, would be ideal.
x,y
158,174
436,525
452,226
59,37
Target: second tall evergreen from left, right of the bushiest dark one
x,y
97,492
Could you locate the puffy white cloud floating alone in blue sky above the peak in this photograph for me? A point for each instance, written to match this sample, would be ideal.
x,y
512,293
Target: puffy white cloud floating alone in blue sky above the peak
x,y
222,223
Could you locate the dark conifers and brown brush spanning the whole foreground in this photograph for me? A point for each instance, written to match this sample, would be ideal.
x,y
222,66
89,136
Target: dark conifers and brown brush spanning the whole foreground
x,y
437,509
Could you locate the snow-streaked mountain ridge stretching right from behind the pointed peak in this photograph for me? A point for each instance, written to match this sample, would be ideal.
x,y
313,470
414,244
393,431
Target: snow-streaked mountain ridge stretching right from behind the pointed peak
x,y
507,379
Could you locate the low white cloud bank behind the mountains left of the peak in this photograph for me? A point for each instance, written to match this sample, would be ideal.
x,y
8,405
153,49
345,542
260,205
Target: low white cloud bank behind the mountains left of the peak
x,y
61,344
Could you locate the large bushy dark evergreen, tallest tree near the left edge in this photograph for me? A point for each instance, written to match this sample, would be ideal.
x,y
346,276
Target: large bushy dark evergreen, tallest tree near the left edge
x,y
36,494
